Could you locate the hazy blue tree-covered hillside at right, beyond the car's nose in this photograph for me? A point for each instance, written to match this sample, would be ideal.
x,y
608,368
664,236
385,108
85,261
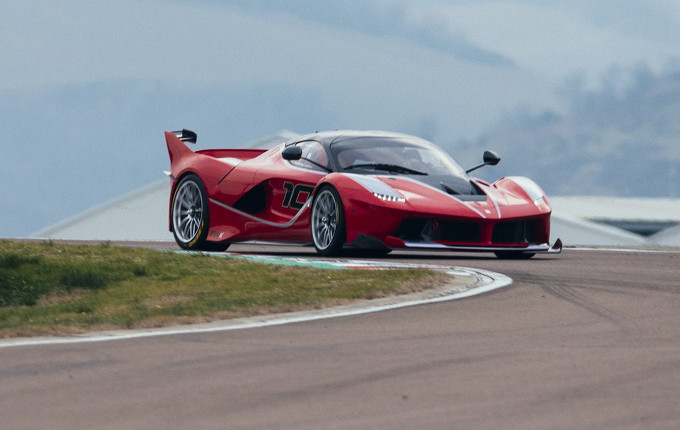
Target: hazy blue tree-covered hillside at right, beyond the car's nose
x,y
618,140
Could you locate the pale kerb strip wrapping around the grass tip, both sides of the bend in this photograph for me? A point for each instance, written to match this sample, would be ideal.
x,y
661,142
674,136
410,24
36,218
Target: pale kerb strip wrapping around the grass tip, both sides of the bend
x,y
465,282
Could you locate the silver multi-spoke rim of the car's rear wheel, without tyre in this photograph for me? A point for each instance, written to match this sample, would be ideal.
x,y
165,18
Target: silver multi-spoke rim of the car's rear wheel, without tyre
x,y
187,211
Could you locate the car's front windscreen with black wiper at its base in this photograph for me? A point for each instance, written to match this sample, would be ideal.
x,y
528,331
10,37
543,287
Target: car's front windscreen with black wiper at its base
x,y
394,155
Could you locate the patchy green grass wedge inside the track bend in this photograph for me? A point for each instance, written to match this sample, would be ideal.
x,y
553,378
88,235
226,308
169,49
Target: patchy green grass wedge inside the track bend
x,y
51,288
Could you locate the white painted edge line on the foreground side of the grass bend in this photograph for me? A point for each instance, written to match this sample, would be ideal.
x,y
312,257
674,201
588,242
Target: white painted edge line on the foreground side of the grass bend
x,y
481,281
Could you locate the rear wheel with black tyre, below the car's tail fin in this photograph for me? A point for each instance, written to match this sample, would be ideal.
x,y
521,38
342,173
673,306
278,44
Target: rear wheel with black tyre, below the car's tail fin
x,y
190,216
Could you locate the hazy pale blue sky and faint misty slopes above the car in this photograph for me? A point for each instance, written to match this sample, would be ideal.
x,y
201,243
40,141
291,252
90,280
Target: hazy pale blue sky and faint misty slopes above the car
x,y
87,87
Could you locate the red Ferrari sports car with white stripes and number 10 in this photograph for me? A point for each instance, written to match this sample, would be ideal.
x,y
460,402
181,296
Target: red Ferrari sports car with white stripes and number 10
x,y
361,190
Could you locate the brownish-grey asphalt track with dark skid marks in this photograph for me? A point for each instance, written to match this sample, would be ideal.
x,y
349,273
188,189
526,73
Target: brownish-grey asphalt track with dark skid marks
x,y
584,339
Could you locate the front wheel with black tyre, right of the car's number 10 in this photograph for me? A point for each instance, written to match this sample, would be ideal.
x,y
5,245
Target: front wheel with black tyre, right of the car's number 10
x,y
328,222
